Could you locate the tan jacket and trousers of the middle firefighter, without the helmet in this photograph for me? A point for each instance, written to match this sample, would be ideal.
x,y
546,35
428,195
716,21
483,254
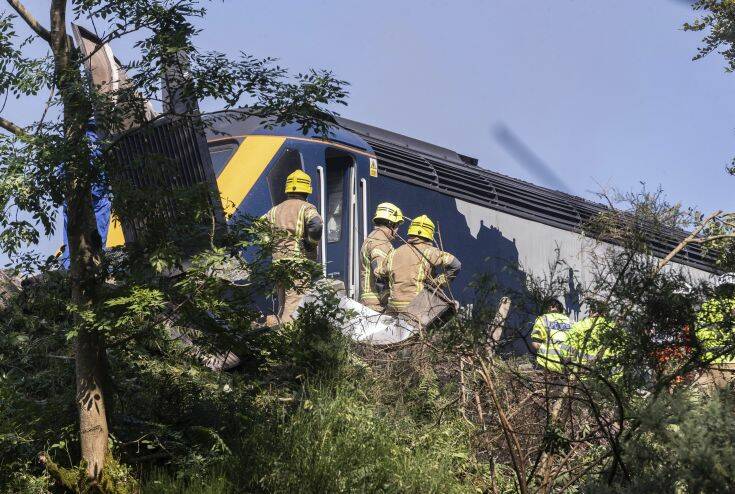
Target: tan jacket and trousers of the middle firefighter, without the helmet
x,y
374,251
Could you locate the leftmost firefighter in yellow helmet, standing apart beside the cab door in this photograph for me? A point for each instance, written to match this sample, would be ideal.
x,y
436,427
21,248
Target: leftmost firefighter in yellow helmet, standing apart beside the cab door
x,y
303,226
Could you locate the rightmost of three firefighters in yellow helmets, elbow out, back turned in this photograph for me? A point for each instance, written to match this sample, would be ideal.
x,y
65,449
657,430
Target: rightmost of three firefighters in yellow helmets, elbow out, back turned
x,y
411,266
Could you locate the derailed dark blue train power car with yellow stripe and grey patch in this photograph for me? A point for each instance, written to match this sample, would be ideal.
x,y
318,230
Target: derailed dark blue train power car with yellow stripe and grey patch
x,y
493,223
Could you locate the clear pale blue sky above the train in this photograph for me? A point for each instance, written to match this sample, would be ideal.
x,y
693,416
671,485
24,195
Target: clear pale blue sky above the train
x,y
604,94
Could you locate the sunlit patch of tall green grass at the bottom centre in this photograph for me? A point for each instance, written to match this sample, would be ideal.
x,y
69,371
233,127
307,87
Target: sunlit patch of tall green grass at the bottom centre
x,y
340,441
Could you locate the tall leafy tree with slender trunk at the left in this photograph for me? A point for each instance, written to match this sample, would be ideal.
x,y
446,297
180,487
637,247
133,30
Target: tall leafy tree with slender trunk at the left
x,y
53,160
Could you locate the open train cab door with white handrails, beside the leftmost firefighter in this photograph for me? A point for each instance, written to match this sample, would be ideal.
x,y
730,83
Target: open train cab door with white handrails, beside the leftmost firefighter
x,y
338,205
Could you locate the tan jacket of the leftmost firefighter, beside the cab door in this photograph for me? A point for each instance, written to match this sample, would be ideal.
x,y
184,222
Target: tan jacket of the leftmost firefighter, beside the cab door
x,y
303,224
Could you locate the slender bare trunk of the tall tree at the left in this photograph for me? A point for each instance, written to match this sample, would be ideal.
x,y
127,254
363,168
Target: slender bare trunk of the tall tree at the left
x,y
85,247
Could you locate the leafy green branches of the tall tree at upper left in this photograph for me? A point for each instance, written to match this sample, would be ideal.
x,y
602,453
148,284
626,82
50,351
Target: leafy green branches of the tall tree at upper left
x,y
38,169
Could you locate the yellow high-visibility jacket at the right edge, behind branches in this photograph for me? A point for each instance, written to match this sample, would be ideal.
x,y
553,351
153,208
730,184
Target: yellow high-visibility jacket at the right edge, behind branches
x,y
712,332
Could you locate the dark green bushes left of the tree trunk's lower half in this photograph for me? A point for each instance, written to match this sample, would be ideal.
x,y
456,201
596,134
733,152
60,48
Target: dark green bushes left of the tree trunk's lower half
x,y
35,375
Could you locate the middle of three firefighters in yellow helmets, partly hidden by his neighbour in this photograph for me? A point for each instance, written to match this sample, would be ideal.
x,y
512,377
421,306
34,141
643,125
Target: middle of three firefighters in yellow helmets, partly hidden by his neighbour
x,y
376,248
